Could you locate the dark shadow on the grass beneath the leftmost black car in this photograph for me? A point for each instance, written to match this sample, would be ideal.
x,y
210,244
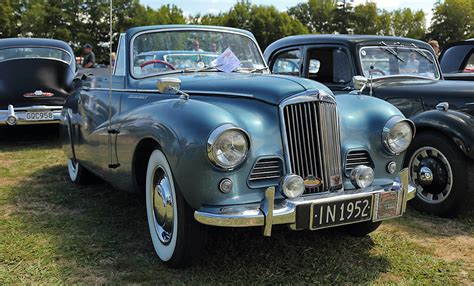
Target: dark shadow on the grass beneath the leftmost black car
x,y
28,136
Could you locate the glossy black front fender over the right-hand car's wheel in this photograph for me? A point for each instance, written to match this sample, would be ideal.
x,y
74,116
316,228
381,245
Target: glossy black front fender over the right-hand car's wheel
x,y
457,126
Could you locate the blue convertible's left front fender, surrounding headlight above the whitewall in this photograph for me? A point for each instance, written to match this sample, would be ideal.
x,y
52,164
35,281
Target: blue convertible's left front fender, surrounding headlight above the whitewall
x,y
182,127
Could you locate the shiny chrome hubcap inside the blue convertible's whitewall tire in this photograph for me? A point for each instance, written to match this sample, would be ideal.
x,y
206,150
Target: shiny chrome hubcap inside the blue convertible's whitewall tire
x,y
162,205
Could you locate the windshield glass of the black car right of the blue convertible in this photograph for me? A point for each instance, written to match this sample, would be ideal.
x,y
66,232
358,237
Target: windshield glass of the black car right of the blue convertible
x,y
393,61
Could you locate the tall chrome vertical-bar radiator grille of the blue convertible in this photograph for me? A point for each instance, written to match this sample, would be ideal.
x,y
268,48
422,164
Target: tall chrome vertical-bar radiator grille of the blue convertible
x,y
313,144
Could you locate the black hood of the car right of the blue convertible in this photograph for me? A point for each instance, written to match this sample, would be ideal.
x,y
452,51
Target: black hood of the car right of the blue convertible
x,y
407,87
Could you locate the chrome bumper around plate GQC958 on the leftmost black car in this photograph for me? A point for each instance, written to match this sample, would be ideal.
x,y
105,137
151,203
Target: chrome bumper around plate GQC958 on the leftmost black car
x,y
18,116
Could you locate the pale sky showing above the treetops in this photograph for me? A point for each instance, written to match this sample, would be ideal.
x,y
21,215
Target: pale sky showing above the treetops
x,y
191,7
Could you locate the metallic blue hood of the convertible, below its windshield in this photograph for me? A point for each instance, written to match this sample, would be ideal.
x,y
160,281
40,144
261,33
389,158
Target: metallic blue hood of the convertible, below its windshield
x,y
269,88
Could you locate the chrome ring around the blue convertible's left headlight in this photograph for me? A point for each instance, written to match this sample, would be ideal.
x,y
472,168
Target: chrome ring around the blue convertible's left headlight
x,y
212,139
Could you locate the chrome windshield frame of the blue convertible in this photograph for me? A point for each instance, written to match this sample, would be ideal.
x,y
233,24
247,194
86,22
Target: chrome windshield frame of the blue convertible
x,y
132,41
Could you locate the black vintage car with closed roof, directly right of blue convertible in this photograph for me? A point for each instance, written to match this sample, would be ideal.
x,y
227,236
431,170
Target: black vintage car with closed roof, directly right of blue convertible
x,y
406,73
